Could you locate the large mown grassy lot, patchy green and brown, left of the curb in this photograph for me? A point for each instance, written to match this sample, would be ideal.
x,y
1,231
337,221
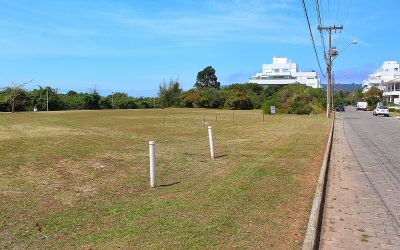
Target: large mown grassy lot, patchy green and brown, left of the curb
x,y
79,179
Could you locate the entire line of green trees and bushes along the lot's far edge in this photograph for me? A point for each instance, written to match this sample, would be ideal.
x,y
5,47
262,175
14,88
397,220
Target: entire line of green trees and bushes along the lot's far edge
x,y
206,93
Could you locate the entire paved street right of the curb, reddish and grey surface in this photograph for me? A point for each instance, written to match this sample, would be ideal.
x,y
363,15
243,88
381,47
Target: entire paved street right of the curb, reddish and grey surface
x,y
362,209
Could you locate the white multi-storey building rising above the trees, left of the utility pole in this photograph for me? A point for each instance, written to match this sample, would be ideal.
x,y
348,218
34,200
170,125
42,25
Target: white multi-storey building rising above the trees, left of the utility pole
x,y
283,72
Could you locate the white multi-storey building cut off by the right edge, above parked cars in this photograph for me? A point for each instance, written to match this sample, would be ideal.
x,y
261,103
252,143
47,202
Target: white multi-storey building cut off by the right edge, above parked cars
x,y
386,78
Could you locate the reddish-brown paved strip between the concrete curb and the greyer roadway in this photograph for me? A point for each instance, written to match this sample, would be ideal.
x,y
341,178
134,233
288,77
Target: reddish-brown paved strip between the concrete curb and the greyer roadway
x,y
355,216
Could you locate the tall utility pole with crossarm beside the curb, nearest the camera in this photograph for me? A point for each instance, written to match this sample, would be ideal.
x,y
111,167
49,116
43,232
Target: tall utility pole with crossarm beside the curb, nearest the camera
x,y
328,59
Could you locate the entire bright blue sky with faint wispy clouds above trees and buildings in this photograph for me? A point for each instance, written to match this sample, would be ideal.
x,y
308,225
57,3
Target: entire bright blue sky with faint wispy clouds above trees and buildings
x,y
132,46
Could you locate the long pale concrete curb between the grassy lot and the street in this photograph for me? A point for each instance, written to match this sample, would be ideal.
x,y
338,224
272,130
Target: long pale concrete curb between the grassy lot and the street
x,y
311,239
